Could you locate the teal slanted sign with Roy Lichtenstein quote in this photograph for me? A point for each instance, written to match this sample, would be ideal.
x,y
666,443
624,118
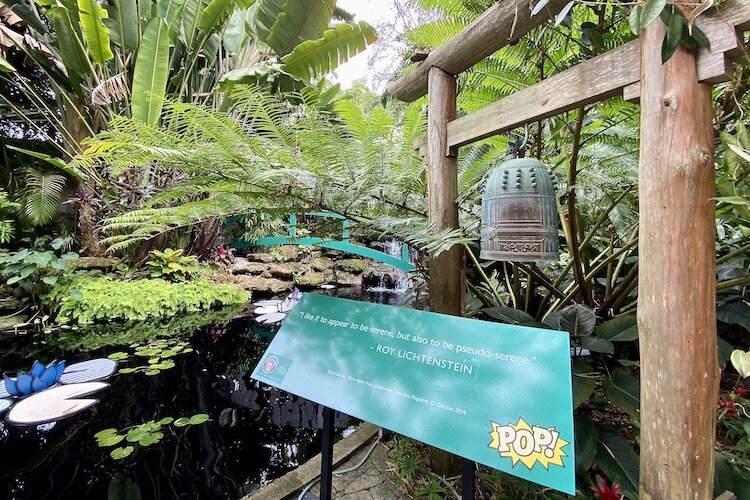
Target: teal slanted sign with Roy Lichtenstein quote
x,y
496,394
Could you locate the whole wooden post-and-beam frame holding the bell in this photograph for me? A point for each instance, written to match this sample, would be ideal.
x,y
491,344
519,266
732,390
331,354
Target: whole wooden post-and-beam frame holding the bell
x,y
676,308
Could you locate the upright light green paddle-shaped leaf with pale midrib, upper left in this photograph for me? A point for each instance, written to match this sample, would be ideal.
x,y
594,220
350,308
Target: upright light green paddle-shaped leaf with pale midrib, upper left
x,y
151,73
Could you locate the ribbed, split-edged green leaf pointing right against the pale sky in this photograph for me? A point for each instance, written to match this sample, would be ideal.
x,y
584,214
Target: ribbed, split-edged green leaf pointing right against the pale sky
x,y
318,57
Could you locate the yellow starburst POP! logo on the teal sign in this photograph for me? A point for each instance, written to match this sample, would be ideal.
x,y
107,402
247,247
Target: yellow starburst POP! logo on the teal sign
x,y
528,445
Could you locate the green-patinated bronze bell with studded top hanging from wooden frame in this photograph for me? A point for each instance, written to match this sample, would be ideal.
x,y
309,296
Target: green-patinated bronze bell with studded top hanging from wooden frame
x,y
519,213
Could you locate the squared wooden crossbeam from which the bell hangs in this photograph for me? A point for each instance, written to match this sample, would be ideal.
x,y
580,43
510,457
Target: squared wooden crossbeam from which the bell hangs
x,y
599,78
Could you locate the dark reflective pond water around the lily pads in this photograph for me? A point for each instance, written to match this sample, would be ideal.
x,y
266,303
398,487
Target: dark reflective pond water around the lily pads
x,y
256,433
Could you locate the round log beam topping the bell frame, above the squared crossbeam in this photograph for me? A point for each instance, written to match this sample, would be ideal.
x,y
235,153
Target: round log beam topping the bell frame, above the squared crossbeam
x,y
500,25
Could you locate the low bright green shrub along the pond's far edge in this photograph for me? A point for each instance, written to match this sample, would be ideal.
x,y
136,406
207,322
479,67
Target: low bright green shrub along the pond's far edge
x,y
87,299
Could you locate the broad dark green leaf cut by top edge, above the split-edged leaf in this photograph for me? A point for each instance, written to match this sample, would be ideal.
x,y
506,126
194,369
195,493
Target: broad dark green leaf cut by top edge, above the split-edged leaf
x,y
297,21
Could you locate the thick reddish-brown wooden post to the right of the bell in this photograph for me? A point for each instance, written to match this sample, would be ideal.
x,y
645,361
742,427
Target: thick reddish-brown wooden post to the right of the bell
x,y
677,281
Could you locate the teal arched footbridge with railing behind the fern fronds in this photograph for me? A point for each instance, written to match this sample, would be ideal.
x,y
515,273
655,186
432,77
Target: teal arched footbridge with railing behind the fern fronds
x,y
342,245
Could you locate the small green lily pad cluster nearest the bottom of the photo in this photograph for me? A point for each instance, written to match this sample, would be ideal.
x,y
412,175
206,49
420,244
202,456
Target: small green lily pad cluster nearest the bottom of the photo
x,y
145,434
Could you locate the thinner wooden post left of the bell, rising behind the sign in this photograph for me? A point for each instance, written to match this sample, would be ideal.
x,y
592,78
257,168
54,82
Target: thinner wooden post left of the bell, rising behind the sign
x,y
446,270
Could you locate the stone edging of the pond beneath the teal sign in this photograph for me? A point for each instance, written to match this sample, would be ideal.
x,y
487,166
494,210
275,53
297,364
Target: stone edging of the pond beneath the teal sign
x,y
292,482
